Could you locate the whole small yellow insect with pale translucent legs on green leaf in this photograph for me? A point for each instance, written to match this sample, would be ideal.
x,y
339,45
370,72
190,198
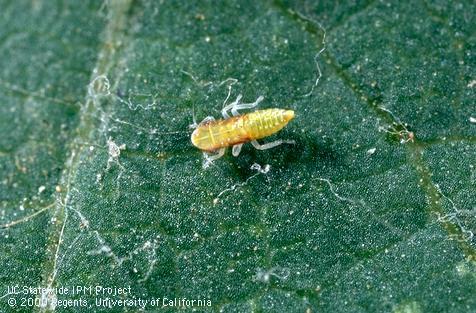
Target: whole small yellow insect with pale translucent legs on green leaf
x,y
214,136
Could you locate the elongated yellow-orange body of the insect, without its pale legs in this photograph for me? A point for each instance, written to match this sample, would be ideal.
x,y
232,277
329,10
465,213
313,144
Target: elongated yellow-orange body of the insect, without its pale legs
x,y
218,134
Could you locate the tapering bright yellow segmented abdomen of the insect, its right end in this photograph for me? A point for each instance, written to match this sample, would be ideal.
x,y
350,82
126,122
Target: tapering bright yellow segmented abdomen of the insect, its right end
x,y
264,123
